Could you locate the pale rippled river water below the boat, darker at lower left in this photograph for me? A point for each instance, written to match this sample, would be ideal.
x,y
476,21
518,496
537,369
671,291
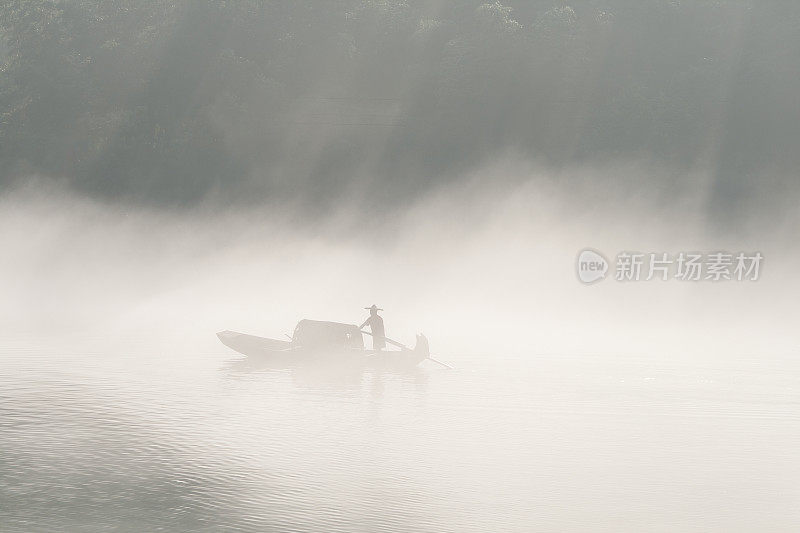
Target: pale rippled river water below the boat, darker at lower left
x,y
128,437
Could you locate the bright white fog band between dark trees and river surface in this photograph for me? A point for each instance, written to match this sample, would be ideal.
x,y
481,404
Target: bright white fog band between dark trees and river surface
x,y
480,269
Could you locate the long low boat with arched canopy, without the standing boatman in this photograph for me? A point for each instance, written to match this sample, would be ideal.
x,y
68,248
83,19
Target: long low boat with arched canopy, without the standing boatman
x,y
318,342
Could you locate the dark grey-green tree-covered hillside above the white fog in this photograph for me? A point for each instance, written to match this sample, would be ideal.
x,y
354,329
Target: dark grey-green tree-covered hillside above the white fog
x,y
167,101
